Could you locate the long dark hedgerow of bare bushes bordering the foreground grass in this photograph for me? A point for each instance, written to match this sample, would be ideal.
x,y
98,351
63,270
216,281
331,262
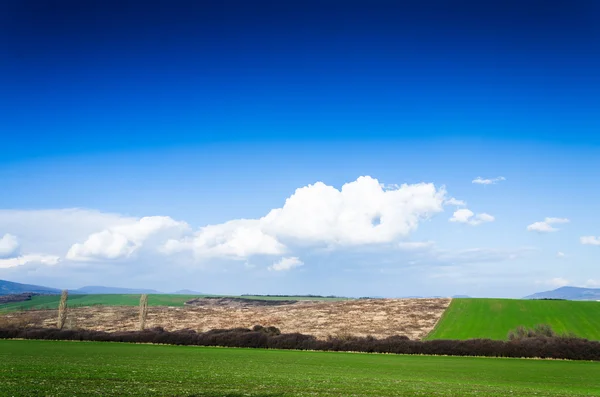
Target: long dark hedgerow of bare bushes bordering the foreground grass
x,y
558,347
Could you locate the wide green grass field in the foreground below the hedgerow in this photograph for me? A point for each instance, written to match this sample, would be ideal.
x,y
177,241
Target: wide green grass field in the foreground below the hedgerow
x,y
34,368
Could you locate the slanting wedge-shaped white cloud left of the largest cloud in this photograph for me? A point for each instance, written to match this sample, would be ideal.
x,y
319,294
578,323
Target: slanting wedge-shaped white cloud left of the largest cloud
x,y
123,240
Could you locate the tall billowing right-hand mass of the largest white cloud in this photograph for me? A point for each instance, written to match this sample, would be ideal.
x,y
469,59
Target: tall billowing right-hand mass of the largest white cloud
x,y
361,212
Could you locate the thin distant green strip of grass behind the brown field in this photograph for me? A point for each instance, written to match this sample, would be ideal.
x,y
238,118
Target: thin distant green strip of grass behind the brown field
x,y
51,301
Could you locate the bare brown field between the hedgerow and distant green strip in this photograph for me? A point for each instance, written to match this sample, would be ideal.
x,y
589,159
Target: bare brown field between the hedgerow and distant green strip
x,y
377,317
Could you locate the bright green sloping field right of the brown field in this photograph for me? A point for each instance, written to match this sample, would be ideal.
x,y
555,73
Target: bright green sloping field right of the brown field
x,y
494,318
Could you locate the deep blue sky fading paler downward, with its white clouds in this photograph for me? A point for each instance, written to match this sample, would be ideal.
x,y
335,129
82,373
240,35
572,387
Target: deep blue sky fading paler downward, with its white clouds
x,y
163,123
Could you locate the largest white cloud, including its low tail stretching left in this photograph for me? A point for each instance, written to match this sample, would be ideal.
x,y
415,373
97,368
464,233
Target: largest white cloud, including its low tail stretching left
x,y
360,213
